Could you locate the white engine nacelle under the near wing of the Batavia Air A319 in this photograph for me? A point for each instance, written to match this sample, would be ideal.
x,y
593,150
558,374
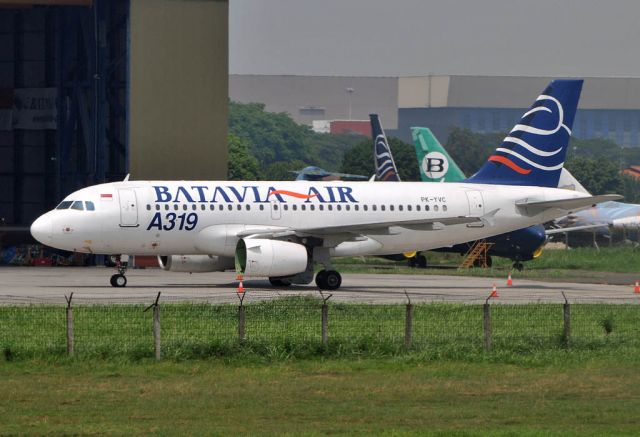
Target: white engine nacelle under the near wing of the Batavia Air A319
x,y
270,258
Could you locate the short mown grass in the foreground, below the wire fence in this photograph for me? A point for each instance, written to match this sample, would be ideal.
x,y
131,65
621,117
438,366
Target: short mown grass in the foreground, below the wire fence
x,y
374,396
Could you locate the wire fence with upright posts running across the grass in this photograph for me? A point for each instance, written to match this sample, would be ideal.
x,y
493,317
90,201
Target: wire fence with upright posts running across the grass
x,y
301,326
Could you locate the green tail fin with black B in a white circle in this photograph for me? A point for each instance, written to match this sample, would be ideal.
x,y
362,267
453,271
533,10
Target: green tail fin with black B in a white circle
x,y
435,163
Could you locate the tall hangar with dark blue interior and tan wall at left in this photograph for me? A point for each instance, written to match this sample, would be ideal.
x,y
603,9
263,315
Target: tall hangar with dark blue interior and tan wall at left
x,y
91,90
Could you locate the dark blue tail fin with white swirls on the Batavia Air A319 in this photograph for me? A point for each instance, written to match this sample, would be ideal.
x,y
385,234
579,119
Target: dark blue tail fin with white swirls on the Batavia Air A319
x,y
534,151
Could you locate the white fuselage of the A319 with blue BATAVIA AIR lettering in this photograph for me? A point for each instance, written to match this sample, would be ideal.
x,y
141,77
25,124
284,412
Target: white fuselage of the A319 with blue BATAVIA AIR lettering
x,y
204,217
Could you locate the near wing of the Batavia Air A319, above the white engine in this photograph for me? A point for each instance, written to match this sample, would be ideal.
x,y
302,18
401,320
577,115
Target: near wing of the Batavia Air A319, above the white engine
x,y
379,228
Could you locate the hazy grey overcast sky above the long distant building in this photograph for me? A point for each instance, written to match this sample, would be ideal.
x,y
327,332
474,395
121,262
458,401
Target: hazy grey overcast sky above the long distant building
x,y
418,37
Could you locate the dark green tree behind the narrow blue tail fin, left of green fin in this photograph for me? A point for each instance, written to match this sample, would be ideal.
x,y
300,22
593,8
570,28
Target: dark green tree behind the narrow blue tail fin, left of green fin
x,y
359,159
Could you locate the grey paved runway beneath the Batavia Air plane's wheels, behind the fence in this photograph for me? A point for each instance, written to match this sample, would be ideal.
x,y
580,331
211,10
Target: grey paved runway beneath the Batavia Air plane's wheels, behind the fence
x,y
90,285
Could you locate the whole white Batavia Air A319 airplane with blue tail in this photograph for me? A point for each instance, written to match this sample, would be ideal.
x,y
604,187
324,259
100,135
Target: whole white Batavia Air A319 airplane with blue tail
x,y
283,230
